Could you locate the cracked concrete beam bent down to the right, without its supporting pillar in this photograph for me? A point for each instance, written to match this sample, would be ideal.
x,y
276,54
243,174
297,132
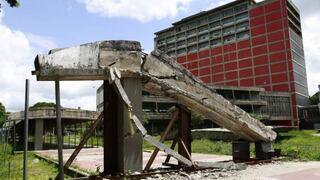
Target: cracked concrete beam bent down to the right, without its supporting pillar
x,y
160,74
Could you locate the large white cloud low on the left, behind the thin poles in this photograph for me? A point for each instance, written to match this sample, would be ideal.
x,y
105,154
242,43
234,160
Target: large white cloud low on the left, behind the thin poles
x,y
18,50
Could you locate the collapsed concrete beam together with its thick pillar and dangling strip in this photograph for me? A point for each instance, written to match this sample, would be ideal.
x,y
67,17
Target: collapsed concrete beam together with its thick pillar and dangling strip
x,y
156,73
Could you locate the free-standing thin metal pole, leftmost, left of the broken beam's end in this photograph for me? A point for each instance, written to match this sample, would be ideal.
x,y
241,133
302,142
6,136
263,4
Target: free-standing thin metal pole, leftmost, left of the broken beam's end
x,y
26,133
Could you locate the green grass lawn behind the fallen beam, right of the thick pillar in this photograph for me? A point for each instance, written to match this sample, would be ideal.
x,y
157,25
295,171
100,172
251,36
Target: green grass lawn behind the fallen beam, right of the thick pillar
x,y
302,145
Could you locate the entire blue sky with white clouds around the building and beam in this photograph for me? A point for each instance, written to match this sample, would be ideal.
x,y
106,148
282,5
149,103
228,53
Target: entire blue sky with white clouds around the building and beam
x,y
40,25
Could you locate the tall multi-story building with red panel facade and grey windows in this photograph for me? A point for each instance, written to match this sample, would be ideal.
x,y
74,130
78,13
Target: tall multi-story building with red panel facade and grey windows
x,y
243,43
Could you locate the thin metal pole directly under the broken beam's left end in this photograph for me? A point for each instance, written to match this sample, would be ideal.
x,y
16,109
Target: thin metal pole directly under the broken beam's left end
x,y
59,133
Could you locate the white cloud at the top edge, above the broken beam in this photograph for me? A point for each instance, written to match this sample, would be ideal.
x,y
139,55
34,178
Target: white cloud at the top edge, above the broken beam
x,y
141,10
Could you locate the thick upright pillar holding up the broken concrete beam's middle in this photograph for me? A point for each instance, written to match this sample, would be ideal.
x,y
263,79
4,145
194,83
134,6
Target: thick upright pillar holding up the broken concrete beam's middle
x,y
123,152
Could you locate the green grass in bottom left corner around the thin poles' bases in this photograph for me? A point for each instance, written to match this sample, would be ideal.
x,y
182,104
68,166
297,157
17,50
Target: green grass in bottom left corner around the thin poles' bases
x,y
36,168
